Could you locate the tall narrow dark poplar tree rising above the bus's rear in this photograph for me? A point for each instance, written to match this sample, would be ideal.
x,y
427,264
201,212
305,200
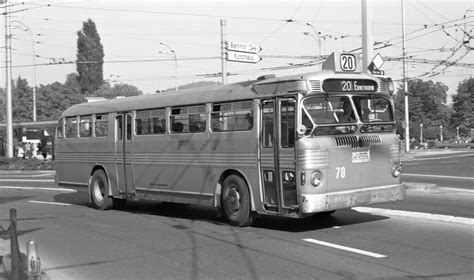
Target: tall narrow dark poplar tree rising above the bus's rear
x,y
90,58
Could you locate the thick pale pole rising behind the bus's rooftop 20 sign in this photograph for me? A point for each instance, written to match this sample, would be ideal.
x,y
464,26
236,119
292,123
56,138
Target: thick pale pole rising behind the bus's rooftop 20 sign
x,y
367,36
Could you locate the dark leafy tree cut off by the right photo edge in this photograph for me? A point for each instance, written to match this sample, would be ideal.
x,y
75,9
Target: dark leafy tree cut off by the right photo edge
x,y
463,104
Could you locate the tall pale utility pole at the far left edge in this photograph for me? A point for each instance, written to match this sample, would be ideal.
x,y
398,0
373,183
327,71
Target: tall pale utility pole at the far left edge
x,y
8,82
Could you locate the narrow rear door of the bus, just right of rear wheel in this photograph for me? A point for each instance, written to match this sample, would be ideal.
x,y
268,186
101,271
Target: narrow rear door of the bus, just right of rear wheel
x,y
124,152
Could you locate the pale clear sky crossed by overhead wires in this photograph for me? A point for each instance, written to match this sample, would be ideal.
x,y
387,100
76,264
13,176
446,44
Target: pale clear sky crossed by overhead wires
x,y
139,36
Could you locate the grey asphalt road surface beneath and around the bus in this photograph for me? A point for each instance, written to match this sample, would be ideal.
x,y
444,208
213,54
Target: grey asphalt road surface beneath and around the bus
x,y
165,241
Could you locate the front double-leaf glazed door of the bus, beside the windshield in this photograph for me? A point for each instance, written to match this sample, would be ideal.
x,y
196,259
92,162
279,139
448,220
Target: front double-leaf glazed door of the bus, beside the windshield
x,y
278,161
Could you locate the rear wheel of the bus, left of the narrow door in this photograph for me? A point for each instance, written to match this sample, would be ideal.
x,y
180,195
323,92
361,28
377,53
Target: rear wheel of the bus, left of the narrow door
x,y
99,186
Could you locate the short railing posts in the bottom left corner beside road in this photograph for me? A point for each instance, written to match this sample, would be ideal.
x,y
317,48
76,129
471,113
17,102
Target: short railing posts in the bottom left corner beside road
x,y
17,265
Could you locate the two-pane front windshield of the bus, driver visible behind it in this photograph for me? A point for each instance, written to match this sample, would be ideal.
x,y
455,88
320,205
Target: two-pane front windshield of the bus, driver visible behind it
x,y
325,115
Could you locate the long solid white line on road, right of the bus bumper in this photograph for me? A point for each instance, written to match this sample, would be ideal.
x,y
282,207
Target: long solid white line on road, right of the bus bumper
x,y
416,215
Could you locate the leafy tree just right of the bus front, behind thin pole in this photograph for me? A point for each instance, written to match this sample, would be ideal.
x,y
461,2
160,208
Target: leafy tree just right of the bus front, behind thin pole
x,y
427,106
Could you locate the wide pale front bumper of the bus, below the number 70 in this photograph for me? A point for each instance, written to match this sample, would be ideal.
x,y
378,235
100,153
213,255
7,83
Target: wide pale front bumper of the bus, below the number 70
x,y
314,203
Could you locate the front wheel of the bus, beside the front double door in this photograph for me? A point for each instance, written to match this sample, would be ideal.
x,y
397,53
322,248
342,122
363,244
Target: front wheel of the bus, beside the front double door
x,y
236,202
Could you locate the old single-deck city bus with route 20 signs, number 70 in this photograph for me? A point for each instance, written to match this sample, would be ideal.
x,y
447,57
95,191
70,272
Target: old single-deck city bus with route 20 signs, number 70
x,y
291,146
